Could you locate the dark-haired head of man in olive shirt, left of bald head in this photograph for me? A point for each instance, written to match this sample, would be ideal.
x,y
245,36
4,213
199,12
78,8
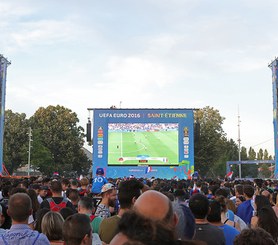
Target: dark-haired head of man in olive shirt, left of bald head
x,y
128,192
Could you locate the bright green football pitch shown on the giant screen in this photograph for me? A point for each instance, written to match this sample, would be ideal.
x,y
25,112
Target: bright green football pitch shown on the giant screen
x,y
125,147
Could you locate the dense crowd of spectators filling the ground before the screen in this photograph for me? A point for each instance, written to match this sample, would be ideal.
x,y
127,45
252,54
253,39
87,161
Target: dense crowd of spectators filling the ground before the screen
x,y
126,211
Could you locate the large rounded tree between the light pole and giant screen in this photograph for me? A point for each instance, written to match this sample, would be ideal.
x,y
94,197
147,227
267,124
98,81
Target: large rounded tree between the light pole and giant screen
x,y
61,140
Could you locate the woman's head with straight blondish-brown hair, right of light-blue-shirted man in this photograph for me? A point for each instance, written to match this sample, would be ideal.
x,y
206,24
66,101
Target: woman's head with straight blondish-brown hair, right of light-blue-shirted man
x,y
52,224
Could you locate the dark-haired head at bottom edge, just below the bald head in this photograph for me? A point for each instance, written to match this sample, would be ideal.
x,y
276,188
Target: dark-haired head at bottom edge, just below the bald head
x,y
136,229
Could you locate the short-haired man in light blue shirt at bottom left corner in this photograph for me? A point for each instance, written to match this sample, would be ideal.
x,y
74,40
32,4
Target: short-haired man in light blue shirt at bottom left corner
x,y
19,209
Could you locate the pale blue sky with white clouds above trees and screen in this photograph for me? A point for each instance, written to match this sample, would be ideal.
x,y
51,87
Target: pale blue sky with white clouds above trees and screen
x,y
147,54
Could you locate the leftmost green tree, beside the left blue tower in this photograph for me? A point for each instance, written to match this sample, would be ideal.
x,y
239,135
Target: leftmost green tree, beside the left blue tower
x,y
15,144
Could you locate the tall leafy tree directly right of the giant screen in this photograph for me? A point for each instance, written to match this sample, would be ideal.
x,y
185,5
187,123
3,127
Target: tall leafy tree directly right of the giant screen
x,y
209,146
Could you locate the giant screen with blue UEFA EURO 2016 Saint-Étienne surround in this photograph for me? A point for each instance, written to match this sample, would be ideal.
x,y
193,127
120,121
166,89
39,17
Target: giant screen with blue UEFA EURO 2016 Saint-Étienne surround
x,y
144,142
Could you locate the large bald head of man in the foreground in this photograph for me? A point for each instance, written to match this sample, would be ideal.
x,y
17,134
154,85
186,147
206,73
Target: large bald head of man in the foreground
x,y
156,206
